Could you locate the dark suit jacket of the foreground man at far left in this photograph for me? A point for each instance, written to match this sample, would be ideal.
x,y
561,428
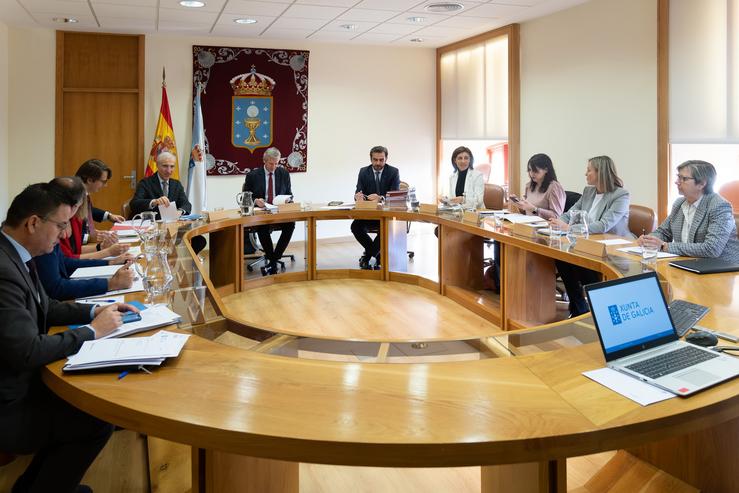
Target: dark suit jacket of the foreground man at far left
x,y
25,345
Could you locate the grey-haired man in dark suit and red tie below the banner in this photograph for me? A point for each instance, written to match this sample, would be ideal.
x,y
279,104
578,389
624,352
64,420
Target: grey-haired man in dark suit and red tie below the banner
x,y
265,184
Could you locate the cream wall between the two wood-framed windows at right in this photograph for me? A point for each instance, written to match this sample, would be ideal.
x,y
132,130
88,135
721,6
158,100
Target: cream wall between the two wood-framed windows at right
x,y
589,87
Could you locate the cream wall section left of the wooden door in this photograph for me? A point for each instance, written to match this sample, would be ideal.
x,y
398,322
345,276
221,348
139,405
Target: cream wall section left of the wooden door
x,y
32,69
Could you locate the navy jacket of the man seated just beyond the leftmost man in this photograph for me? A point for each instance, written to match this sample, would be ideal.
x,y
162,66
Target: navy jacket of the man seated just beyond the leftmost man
x,y
54,270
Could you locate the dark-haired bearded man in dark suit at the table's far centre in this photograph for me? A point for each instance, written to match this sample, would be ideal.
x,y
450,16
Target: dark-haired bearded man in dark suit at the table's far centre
x,y
374,181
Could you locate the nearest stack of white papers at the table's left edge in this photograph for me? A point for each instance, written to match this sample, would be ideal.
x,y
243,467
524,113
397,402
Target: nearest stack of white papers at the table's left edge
x,y
139,351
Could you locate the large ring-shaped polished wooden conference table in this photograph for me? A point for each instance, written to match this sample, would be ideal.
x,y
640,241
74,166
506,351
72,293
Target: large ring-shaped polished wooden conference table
x,y
252,415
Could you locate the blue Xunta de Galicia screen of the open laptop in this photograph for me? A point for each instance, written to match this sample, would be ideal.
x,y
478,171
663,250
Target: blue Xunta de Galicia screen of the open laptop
x,y
630,314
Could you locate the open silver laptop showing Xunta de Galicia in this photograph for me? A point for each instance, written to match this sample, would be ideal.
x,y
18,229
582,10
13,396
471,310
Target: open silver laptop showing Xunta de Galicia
x,y
638,338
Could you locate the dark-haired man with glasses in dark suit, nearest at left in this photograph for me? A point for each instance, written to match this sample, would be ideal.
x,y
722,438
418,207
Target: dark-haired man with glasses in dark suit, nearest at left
x,y
33,419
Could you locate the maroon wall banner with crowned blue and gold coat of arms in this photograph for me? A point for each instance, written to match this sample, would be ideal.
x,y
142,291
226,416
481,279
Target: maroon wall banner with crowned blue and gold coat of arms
x,y
253,98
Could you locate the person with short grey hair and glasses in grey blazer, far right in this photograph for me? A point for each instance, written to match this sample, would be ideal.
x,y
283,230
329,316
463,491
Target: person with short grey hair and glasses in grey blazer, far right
x,y
701,223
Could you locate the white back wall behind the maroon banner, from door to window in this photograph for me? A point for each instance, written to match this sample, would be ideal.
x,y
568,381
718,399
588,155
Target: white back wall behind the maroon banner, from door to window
x,y
358,97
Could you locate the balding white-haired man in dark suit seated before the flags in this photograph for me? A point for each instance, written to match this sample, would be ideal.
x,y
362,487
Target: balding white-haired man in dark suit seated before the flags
x,y
160,188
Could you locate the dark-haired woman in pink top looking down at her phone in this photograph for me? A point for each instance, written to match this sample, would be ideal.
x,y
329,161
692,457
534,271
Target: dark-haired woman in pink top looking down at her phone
x,y
543,195
